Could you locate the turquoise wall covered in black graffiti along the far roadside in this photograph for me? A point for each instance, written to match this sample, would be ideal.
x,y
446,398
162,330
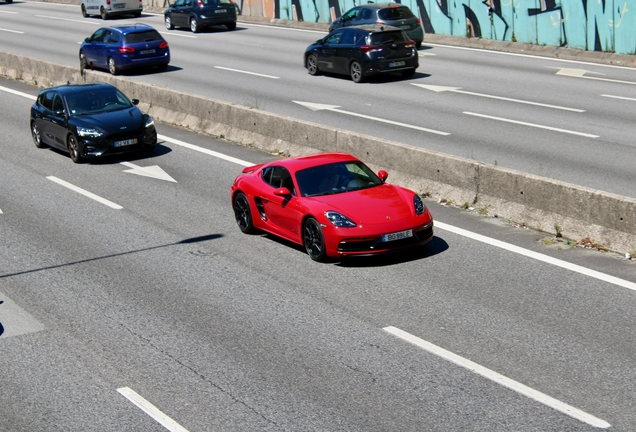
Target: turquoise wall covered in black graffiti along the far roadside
x,y
595,25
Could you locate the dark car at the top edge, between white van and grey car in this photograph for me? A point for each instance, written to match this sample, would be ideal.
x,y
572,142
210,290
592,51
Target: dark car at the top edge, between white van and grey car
x,y
198,14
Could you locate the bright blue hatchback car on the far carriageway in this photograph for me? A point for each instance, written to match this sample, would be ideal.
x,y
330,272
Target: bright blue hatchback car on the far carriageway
x,y
124,47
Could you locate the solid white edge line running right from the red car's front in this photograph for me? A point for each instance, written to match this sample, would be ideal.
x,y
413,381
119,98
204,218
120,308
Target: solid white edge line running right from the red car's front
x,y
538,256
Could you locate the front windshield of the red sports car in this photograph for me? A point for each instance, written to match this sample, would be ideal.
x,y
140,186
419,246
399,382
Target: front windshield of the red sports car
x,y
335,178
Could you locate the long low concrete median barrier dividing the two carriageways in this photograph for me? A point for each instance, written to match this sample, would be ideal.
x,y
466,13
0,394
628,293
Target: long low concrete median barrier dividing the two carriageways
x,y
535,201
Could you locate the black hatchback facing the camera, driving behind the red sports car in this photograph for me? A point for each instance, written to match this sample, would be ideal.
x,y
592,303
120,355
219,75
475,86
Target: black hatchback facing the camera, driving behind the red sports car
x,y
90,120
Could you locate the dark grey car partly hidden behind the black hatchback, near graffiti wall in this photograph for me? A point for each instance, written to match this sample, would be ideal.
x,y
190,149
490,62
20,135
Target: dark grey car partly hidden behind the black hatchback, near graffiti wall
x,y
393,14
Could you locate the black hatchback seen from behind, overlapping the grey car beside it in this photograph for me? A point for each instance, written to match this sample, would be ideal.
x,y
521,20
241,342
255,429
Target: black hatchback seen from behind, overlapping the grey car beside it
x,y
362,52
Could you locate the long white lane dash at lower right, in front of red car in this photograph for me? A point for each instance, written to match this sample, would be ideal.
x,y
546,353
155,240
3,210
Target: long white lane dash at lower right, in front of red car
x,y
501,379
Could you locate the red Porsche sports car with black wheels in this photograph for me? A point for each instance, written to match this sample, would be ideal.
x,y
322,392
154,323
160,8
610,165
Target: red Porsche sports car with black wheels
x,y
330,203
